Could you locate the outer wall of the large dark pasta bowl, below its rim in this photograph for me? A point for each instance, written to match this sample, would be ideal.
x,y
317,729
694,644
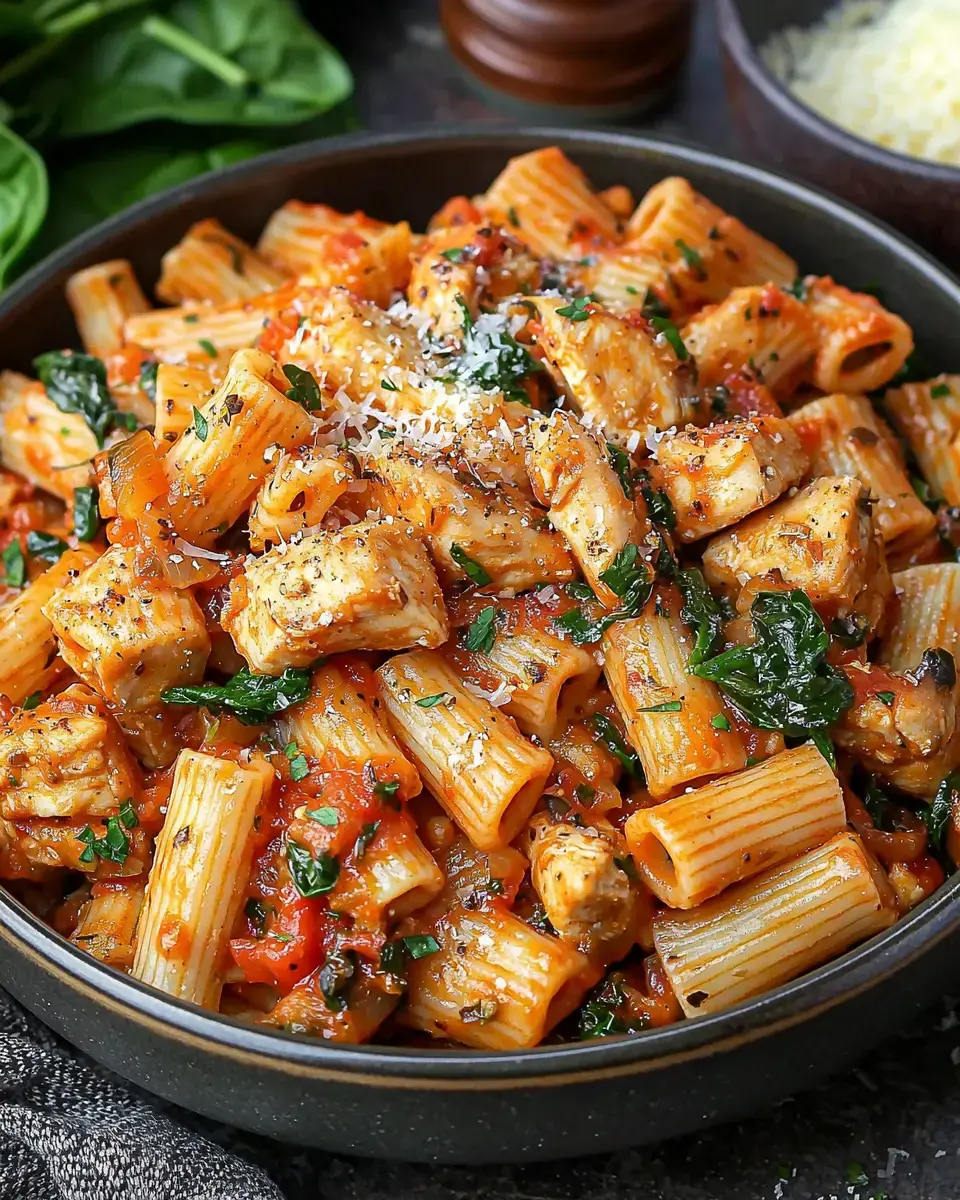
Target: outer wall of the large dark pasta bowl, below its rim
x,y
547,1120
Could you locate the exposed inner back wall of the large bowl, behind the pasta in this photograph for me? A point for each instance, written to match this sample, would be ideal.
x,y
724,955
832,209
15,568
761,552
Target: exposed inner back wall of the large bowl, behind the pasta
x,y
398,178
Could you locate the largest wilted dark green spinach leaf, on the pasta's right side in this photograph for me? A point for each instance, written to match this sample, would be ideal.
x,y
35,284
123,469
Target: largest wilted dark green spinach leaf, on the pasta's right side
x,y
782,681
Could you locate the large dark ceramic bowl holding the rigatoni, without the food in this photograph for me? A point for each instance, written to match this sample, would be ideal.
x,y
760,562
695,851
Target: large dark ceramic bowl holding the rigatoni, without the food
x,y
452,1106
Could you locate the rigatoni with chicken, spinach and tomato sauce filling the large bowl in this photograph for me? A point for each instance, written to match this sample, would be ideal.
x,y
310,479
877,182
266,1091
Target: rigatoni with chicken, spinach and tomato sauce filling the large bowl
x,y
452,637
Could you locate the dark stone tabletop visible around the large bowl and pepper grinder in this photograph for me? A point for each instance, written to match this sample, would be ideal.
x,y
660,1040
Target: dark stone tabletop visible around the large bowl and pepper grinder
x,y
897,1119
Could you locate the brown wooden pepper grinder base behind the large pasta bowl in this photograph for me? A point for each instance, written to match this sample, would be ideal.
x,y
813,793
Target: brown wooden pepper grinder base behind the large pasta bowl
x,y
593,58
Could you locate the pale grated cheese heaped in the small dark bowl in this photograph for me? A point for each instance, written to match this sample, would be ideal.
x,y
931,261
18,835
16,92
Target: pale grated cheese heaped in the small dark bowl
x,y
887,71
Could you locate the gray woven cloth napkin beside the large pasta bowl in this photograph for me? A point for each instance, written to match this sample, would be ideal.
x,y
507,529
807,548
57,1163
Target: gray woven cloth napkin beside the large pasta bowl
x,y
71,1131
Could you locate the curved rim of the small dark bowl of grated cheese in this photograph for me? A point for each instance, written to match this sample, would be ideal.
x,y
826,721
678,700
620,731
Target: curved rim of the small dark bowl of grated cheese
x,y
747,56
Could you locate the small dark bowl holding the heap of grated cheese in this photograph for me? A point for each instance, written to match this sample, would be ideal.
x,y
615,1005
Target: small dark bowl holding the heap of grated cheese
x,y
920,197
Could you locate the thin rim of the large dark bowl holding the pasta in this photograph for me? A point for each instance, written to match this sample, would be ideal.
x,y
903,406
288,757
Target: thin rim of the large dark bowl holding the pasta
x,y
861,969
